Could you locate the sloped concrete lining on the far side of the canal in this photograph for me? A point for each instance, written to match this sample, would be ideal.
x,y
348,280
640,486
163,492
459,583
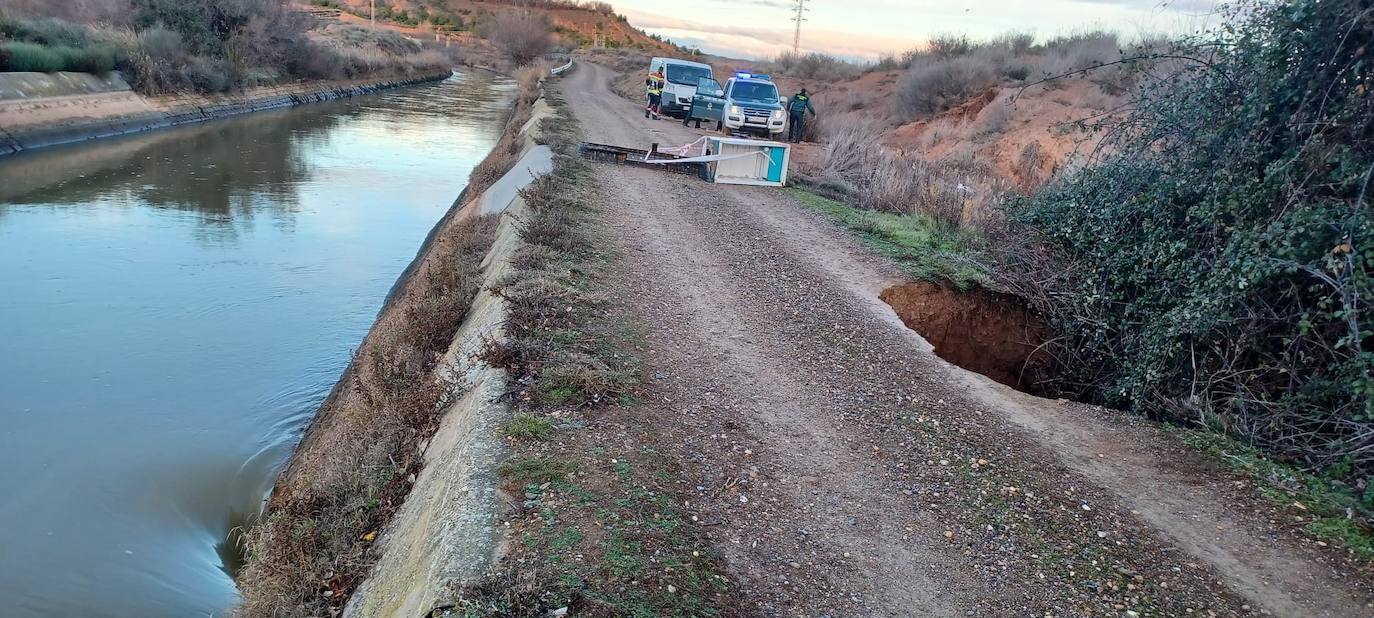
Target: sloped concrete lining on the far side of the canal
x,y
39,109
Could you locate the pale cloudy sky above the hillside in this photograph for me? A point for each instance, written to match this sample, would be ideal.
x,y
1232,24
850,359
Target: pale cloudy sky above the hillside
x,y
865,30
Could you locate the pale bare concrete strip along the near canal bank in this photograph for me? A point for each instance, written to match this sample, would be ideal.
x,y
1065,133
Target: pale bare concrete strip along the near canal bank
x,y
447,532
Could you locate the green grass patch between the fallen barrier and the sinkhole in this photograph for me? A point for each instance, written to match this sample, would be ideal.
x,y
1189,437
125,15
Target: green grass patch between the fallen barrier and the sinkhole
x,y
919,244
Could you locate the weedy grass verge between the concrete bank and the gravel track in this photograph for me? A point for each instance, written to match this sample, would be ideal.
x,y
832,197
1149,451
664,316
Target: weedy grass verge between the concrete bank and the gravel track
x,y
596,529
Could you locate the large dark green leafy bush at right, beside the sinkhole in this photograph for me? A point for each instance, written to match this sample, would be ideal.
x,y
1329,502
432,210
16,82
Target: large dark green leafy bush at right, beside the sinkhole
x,y
1217,266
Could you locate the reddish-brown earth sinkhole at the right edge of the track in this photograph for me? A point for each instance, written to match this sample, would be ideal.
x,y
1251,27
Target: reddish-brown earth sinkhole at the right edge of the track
x,y
990,333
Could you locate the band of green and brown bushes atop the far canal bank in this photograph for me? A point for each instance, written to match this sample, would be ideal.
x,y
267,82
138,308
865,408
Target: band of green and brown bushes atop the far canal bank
x,y
203,46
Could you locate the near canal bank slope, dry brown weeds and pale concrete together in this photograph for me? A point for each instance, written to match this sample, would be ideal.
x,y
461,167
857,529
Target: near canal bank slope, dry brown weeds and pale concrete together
x,y
388,503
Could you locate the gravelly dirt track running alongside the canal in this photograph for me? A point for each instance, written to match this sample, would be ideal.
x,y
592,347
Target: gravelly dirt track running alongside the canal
x,y
844,470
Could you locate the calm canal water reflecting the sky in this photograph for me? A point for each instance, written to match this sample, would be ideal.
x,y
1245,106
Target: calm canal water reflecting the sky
x,y
172,310
